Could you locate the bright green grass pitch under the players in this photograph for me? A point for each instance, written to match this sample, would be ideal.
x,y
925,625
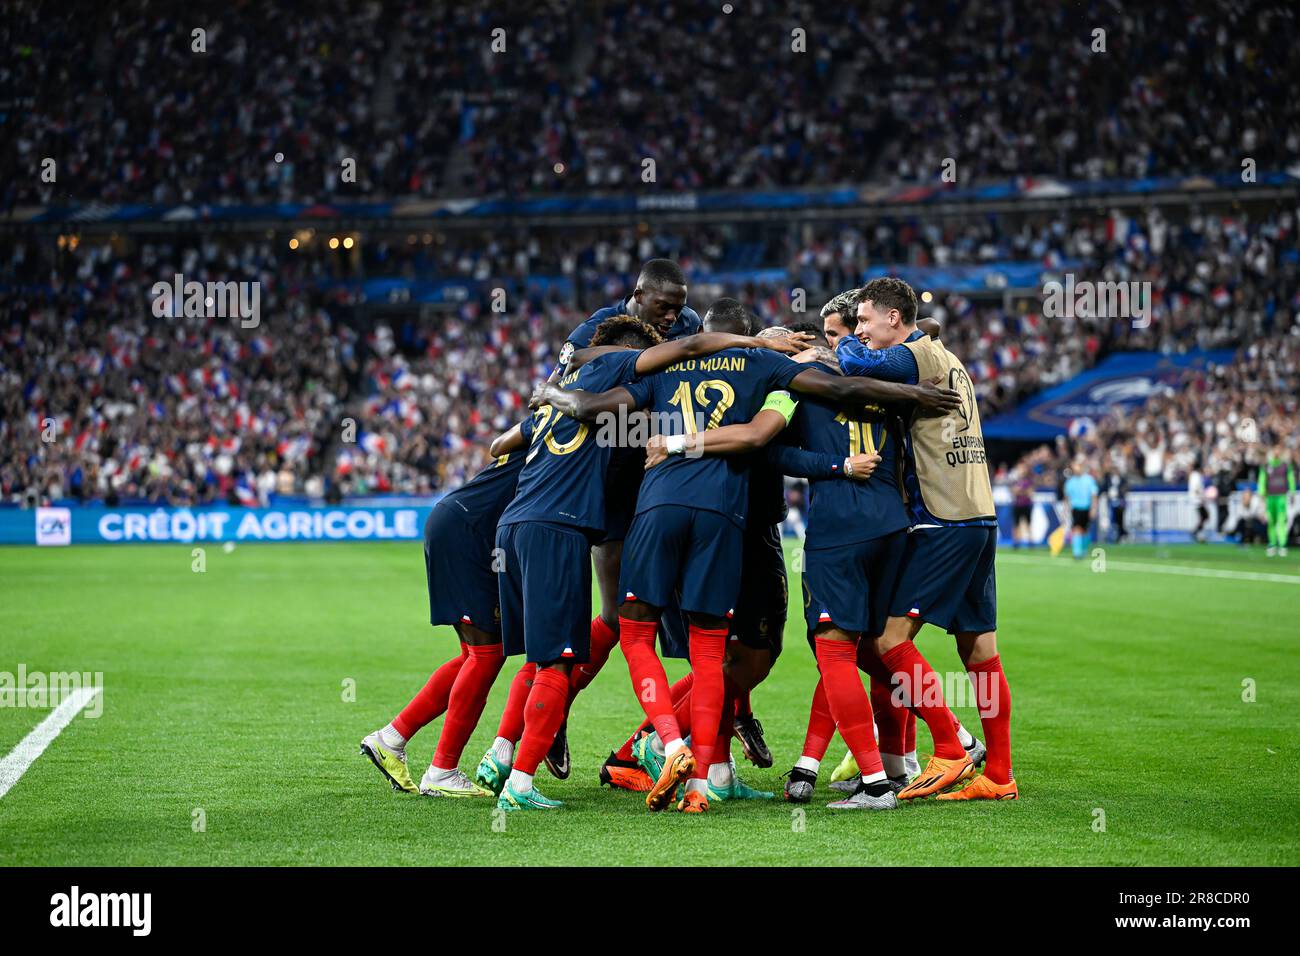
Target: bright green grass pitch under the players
x,y
224,693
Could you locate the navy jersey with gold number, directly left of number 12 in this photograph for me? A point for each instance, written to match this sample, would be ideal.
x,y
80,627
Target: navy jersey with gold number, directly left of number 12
x,y
564,481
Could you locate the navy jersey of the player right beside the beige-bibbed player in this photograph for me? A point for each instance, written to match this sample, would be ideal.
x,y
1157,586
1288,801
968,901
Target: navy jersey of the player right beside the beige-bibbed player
x,y
844,512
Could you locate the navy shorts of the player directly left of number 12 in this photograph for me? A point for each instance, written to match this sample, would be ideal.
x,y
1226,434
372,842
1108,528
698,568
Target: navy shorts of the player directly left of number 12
x,y
545,592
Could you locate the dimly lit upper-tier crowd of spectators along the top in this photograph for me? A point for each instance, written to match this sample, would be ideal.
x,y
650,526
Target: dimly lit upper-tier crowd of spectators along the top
x,y
267,103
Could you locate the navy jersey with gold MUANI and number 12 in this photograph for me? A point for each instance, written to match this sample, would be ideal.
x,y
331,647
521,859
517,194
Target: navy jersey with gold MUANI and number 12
x,y
723,390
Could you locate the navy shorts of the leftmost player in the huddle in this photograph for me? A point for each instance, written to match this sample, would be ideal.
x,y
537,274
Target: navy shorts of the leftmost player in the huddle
x,y
458,564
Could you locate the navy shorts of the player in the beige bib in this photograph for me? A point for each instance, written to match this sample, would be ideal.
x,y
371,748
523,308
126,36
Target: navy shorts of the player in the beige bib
x,y
948,579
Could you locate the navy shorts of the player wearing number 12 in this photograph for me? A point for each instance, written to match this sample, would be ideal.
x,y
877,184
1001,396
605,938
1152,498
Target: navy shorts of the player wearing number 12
x,y
678,551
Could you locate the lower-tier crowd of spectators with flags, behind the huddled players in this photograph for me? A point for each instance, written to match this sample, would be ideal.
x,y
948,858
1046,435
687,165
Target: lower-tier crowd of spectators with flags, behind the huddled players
x,y
201,409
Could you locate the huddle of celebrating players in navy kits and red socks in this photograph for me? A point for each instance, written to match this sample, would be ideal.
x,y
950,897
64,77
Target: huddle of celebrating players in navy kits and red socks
x,y
657,453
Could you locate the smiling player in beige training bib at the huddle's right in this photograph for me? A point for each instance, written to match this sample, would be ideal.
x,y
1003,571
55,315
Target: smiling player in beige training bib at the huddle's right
x,y
948,569
